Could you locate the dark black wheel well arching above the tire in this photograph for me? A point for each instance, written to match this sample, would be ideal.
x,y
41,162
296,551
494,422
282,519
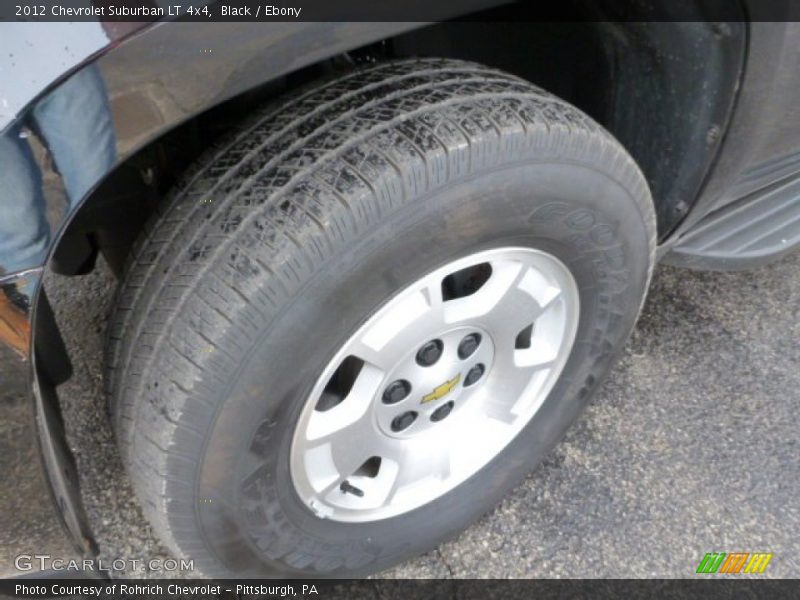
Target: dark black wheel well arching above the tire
x,y
665,90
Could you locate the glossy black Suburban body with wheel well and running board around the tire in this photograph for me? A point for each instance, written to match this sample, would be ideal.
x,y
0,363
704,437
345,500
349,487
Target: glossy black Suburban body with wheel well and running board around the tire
x,y
709,110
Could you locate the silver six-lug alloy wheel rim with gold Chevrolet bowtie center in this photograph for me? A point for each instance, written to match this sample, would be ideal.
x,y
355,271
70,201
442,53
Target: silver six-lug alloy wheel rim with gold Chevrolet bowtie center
x,y
365,459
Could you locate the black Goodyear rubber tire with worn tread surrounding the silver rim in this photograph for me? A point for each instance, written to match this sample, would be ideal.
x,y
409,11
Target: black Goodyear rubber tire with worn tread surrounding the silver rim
x,y
286,237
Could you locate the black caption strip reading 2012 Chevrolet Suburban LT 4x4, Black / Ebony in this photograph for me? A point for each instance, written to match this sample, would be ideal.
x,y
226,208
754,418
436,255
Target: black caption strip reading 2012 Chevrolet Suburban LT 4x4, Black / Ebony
x,y
211,11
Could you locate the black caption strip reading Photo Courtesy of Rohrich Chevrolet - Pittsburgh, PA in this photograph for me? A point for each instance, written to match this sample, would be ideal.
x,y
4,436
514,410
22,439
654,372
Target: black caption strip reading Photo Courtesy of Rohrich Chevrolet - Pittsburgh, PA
x,y
374,589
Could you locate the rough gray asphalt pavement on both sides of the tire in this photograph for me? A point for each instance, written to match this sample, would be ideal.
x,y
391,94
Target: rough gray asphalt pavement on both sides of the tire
x,y
691,445
